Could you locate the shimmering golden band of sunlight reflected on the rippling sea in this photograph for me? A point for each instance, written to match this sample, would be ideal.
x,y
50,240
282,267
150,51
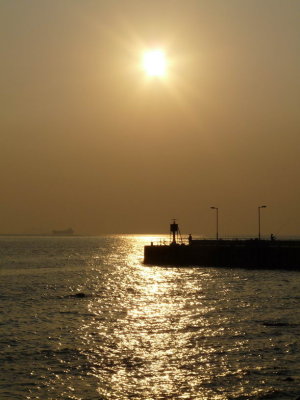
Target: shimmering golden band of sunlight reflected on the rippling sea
x,y
157,333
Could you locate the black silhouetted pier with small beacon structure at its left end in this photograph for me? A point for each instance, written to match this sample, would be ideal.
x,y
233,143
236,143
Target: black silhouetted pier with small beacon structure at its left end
x,y
239,253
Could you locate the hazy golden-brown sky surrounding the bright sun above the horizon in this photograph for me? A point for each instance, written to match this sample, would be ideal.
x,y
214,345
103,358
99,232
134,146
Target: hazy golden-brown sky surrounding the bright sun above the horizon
x,y
89,142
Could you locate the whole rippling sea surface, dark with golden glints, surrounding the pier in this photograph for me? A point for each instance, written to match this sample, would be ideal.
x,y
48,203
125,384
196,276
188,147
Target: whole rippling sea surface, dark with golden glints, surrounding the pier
x,y
141,332
